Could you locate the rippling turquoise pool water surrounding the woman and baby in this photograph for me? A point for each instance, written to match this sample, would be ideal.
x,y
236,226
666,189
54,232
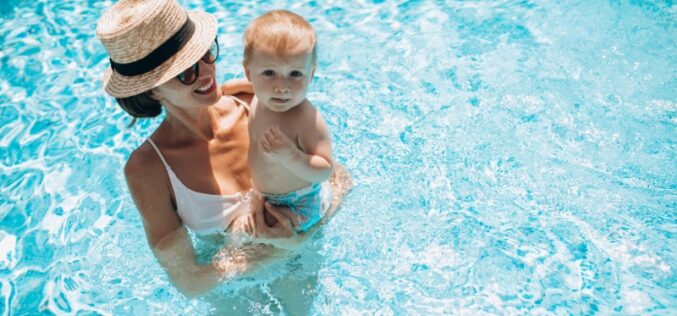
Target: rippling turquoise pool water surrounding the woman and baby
x,y
510,157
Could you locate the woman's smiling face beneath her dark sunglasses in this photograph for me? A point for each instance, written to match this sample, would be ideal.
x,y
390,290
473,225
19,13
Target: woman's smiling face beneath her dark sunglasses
x,y
203,92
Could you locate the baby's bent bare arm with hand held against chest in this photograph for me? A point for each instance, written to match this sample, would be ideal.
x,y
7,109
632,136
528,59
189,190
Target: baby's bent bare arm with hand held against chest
x,y
313,162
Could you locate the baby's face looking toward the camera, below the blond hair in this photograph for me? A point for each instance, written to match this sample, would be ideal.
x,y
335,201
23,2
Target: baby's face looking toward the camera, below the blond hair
x,y
280,82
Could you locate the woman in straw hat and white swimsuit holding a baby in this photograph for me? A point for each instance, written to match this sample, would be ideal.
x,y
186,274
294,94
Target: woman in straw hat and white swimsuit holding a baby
x,y
192,172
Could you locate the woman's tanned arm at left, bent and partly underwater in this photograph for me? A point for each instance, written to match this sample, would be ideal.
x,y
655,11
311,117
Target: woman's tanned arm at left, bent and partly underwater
x,y
169,240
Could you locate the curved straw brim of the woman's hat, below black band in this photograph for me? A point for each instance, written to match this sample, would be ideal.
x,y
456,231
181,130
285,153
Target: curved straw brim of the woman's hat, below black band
x,y
120,86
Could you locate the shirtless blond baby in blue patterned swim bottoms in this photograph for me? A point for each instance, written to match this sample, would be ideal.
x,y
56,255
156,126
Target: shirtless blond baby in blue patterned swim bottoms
x,y
290,154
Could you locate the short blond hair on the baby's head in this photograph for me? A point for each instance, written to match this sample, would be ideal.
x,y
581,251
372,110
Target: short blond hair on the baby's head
x,y
280,32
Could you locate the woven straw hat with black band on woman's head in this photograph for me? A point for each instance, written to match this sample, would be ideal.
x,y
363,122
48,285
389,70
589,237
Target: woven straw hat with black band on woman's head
x,y
151,42
